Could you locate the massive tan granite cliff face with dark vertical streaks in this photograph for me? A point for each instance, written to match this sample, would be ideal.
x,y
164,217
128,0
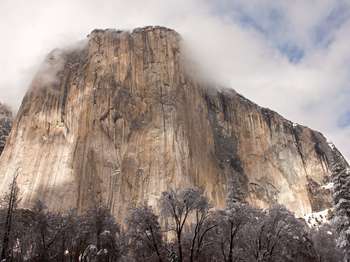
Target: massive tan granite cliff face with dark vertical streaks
x,y
123,117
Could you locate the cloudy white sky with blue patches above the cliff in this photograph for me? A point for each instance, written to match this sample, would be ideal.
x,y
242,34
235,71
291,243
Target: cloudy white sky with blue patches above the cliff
x,y
292,56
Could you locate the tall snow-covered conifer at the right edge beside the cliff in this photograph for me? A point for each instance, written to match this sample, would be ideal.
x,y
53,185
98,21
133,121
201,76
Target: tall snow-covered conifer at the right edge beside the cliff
x,y
341,197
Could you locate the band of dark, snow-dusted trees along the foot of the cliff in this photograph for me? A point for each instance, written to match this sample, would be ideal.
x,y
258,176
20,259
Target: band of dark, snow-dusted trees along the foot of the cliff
x,y
187,228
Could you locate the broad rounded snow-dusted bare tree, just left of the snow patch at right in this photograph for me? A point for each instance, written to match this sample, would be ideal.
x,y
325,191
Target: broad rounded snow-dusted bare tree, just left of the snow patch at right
x,y
280,236
